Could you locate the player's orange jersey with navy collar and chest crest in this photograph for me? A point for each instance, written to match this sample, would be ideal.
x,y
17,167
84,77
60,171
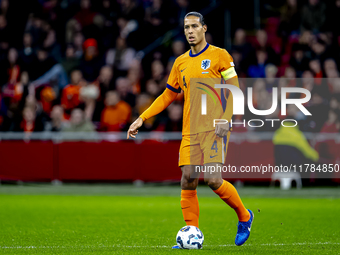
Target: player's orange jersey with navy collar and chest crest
x,y
196,74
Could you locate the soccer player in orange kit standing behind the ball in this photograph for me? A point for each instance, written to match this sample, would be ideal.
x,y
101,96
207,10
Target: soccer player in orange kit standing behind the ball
x,y
201,142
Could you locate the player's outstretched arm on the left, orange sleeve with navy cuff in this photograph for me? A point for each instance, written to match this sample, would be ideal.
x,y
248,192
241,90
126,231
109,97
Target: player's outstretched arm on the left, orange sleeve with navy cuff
x,y
161,102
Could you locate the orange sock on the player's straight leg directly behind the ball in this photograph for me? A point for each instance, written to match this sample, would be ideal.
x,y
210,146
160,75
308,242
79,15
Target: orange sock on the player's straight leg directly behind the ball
x,y
190,208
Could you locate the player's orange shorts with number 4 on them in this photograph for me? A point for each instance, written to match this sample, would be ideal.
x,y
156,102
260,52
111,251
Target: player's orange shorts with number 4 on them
x,y
203,148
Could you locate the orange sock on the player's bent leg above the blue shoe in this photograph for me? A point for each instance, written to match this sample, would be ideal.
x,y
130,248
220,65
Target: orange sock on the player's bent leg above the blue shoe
x,y
229,195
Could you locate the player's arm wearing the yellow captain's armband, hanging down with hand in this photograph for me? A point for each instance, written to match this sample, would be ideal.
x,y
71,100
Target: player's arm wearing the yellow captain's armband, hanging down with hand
x,y
229,74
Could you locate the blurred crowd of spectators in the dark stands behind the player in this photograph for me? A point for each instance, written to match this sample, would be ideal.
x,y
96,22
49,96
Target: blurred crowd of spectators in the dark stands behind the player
x,y
73,65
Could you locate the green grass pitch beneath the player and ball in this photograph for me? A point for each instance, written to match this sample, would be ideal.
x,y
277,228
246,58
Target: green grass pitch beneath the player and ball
x,y
123,219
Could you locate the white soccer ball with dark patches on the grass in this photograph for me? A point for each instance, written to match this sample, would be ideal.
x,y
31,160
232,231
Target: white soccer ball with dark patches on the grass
x,y
190,237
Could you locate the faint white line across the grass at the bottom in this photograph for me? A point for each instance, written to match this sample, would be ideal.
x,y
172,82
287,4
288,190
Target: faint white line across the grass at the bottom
x,y
160,246
